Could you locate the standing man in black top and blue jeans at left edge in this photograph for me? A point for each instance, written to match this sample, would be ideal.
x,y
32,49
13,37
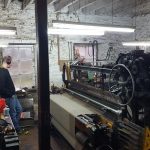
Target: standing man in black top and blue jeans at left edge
x,y
7,91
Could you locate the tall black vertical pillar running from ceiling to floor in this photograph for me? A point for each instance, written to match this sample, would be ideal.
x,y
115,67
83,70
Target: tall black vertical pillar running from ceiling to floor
x,y
43,75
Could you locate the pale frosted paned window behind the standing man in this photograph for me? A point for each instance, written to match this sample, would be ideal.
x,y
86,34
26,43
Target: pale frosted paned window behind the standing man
x,y
22,70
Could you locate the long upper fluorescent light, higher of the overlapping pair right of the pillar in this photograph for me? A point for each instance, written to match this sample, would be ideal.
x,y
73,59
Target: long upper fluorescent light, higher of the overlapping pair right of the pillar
x,y
90,26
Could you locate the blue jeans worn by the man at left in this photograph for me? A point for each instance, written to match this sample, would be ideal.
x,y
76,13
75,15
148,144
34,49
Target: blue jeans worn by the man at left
x,y
15,110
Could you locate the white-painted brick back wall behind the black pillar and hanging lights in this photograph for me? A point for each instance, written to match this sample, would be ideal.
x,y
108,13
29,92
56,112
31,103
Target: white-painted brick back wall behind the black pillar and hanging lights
x,y
25,23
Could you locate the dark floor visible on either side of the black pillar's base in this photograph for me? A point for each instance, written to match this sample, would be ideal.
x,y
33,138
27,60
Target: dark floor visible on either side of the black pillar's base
x,y
29,140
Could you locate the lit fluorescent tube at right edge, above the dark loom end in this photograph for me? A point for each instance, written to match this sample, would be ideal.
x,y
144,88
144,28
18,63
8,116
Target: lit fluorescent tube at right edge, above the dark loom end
x,y
137,43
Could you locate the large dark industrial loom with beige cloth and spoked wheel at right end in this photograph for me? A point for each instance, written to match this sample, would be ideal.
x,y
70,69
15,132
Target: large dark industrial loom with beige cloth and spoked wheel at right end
x,y
118,97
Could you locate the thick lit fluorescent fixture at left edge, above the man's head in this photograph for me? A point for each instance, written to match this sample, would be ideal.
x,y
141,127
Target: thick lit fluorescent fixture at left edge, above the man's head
x,y
7,30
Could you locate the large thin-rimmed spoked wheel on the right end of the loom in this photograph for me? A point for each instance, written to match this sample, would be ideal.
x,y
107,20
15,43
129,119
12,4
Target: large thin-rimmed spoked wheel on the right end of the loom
x,y
121,83
